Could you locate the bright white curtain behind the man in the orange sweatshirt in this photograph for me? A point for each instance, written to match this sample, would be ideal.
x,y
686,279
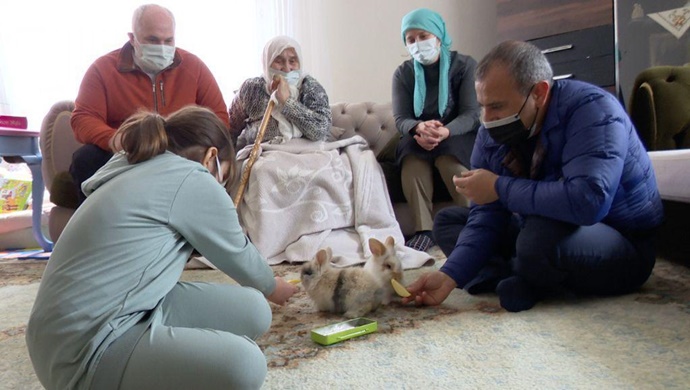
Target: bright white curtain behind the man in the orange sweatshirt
x,y
46,46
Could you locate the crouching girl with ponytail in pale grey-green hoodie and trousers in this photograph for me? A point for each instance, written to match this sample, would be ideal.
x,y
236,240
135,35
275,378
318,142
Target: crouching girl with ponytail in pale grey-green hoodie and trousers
x,y
111,311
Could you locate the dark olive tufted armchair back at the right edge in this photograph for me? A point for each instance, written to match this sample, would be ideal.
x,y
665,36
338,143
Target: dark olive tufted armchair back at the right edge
x,y
660,107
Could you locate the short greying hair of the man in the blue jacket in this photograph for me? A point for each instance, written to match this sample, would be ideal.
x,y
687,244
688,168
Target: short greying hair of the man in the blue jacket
x,y
526,63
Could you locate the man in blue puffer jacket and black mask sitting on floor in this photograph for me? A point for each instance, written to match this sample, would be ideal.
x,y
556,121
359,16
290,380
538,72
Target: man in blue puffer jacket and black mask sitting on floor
x,y
564,196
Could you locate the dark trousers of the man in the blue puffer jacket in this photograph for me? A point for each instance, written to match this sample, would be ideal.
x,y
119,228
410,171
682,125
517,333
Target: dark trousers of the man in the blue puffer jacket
x,y
556,255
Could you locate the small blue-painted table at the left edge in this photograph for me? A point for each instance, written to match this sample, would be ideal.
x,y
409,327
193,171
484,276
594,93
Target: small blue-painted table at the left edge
x,y
17,146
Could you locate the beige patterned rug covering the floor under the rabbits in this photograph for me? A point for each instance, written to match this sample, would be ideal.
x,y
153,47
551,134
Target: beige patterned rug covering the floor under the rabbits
x,y
636,341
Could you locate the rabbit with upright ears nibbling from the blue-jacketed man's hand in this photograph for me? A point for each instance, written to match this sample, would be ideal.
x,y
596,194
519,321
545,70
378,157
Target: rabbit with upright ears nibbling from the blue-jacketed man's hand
x,y
384,265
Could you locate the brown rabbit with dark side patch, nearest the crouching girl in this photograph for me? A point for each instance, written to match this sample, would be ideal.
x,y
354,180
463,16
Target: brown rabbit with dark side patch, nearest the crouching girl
x,y
352,291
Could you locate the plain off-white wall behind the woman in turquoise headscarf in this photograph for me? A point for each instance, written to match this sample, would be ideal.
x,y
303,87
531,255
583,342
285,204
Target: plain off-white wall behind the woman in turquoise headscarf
x,y
363,43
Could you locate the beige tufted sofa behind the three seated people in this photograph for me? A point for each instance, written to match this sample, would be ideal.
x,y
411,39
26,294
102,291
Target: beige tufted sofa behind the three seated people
x,y
373,121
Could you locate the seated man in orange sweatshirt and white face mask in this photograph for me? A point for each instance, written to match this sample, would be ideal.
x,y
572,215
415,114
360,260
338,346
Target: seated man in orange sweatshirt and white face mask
x,y
149,73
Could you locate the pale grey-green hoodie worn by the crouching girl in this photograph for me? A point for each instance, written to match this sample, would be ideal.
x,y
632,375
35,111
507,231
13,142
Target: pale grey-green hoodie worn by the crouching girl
x,y
122,252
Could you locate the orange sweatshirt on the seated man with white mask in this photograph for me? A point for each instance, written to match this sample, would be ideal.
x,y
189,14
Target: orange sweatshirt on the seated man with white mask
x,y
113,89
